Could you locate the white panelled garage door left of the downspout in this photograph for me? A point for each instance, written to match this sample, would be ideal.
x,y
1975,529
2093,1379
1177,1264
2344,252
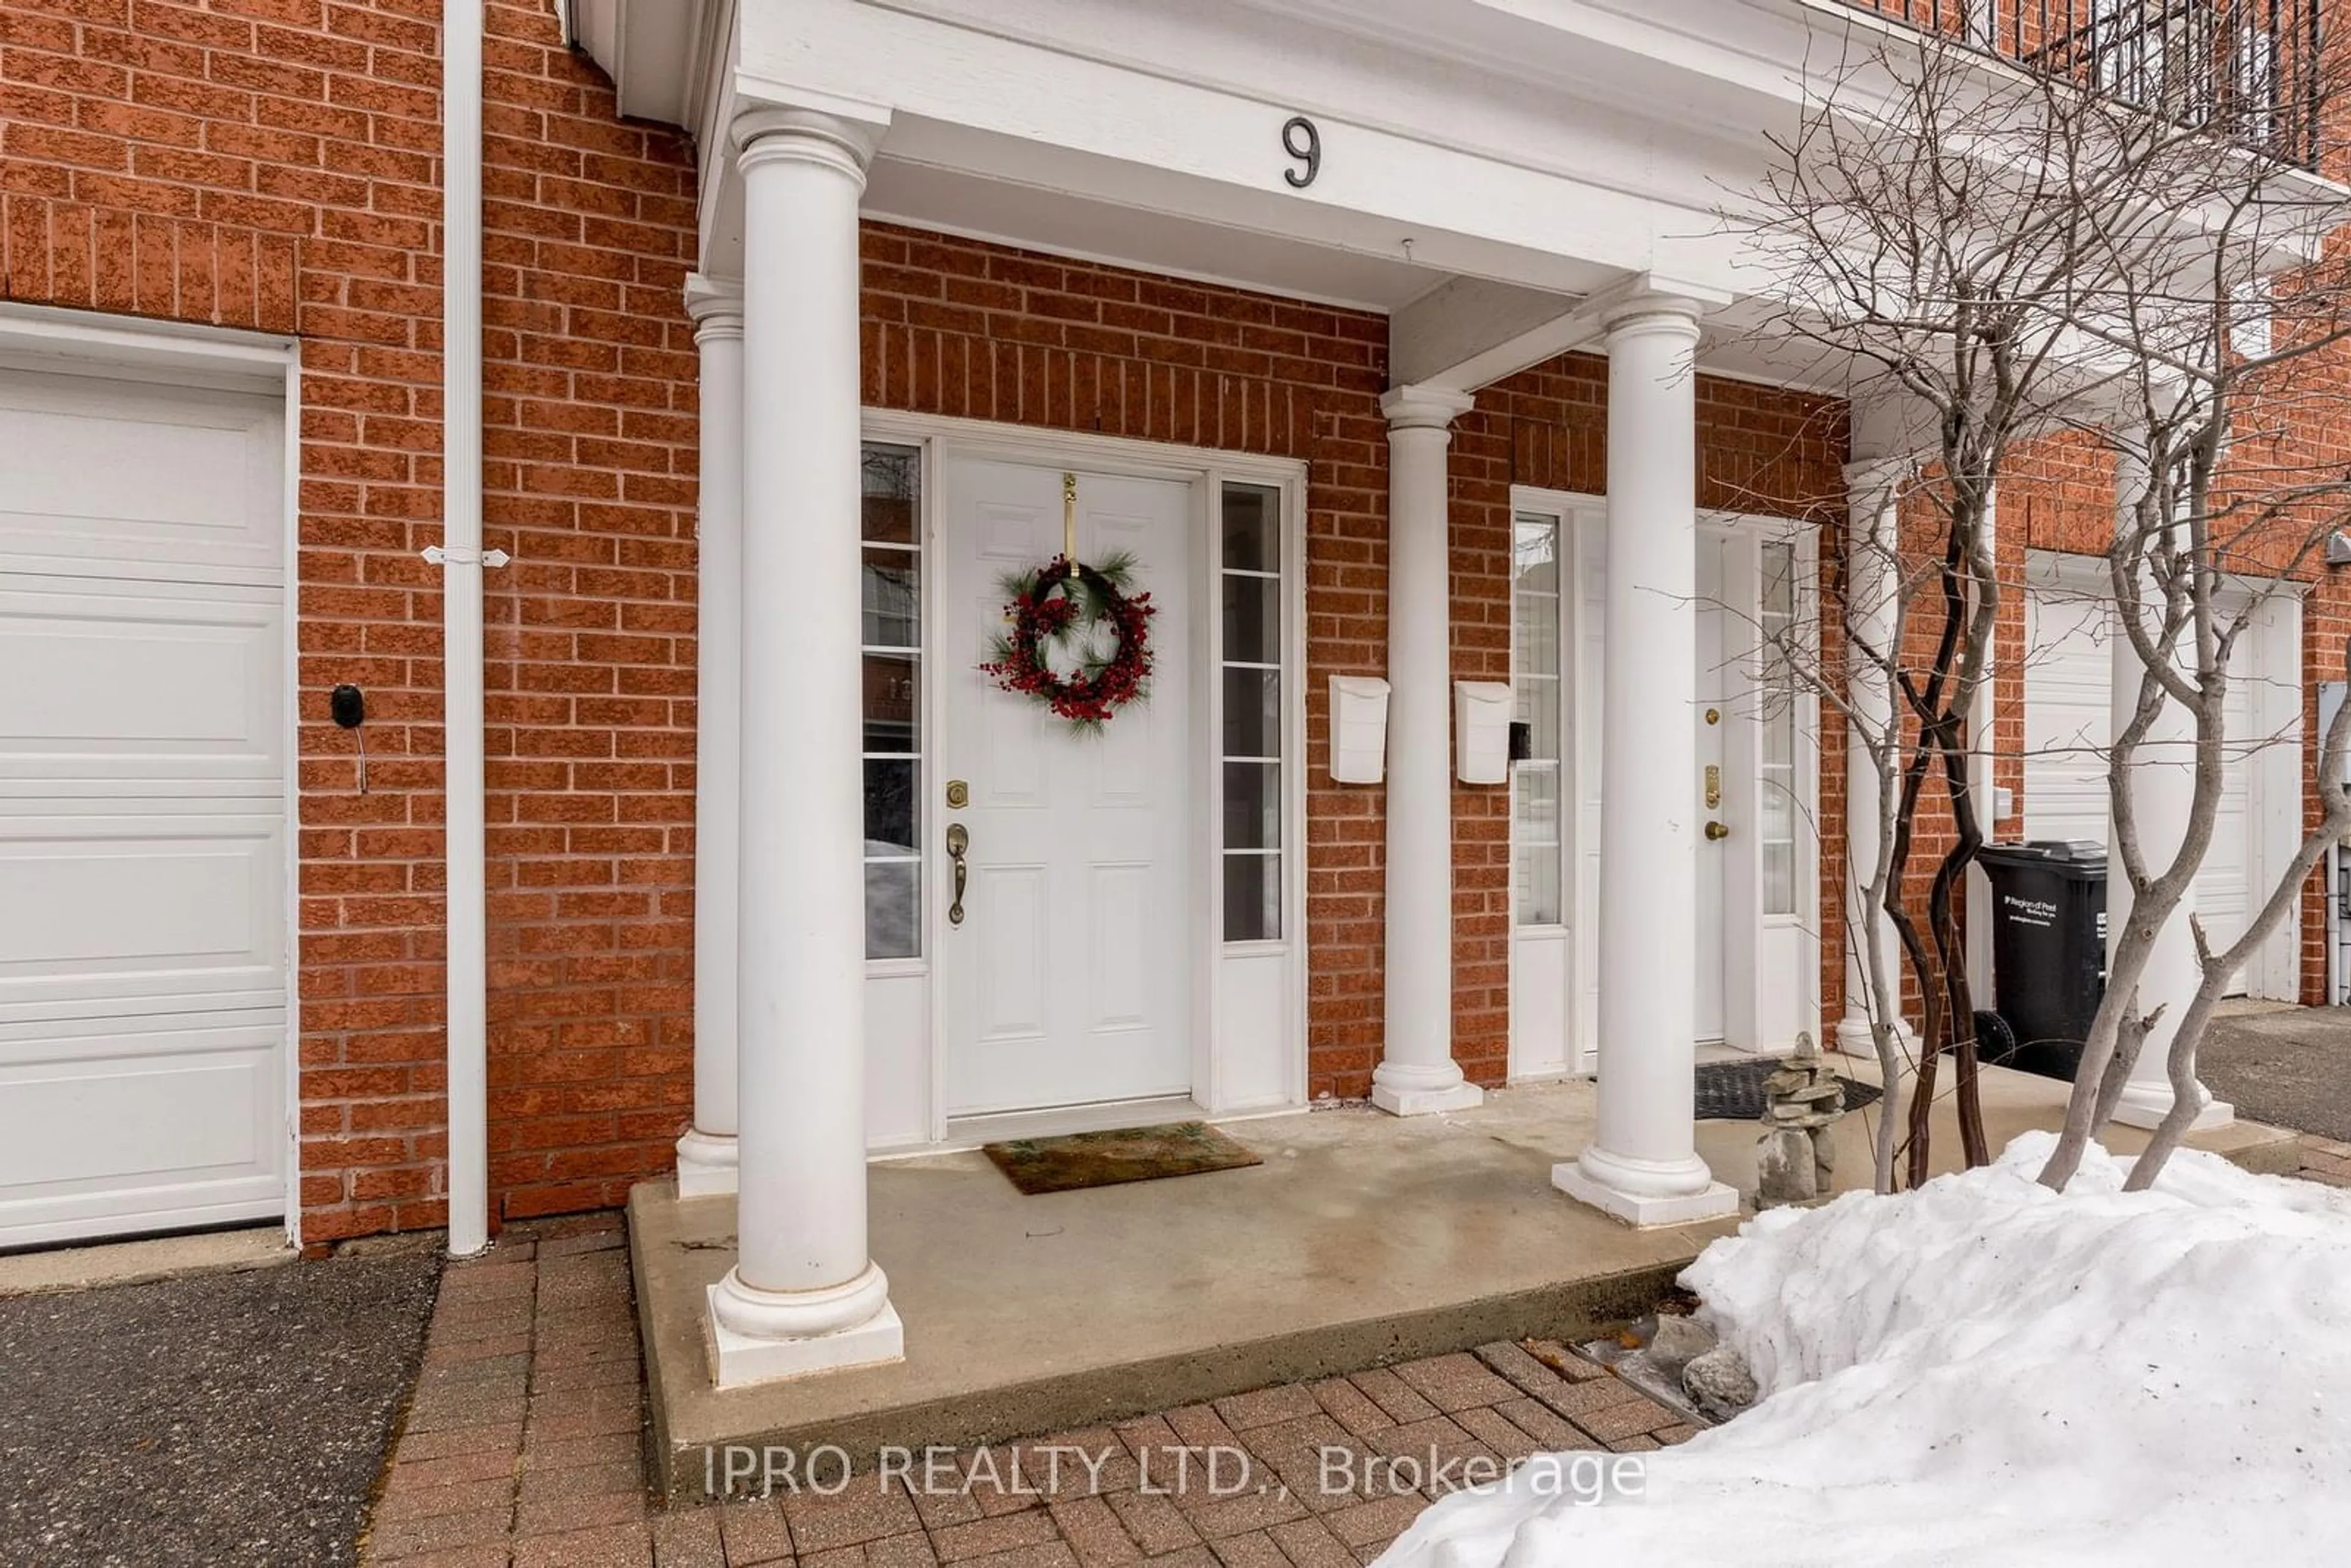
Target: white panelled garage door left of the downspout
x,y
142,808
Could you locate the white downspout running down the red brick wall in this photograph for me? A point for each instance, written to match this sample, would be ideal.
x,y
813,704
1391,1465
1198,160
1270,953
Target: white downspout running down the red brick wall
x,y
460,558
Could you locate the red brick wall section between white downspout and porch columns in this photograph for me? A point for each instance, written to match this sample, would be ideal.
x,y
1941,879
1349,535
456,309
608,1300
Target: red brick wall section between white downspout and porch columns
x,y
589,481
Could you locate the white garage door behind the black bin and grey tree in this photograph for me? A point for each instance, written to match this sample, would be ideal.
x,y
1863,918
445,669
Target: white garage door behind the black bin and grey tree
x,y
2068,683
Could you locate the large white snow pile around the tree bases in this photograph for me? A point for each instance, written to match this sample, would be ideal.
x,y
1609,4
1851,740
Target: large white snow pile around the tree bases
x,y
1985,1372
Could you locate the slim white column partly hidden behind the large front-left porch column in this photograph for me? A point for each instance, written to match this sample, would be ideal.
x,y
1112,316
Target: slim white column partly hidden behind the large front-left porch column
x,y
706,1155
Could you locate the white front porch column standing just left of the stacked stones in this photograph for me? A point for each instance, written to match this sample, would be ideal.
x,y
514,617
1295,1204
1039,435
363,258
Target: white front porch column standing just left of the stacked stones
x,y
1642,1162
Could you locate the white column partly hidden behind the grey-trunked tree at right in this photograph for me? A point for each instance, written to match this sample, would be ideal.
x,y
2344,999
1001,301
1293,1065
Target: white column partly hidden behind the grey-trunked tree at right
x,y
2164,796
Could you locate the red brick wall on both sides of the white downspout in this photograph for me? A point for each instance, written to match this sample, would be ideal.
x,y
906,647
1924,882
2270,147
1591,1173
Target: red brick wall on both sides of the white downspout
x,y
274,166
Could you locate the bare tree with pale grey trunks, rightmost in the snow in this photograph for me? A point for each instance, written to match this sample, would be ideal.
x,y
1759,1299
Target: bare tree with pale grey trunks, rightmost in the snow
x,y
2230,335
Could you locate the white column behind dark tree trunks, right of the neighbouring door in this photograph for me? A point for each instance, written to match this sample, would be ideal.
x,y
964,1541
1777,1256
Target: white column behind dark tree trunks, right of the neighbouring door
x,y
1873,587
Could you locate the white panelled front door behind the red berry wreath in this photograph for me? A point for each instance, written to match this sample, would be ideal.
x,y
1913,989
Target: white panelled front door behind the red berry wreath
x,y
1069,979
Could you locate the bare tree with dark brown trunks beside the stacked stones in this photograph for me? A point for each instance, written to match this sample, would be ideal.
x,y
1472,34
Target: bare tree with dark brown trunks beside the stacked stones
x,y
1924,274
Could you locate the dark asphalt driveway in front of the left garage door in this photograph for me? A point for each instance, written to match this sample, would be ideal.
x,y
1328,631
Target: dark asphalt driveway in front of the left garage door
x,y
213,1421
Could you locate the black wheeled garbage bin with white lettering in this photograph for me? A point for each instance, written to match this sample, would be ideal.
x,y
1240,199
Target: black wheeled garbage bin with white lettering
x,y
2049,953
